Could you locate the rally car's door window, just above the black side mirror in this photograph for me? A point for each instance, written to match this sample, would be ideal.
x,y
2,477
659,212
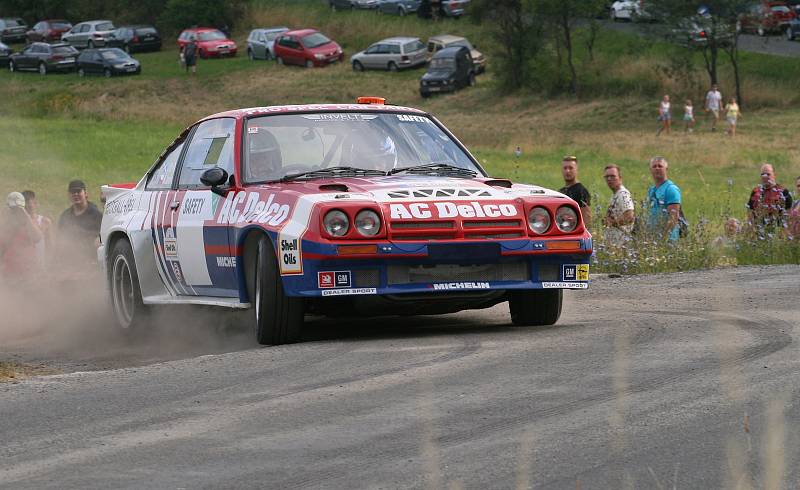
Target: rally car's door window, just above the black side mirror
x,y
211,146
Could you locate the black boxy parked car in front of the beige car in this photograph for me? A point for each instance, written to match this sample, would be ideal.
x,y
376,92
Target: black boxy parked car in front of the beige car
x,y
450,69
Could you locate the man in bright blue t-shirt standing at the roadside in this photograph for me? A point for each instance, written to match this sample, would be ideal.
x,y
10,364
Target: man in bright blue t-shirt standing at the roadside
x,y
664,201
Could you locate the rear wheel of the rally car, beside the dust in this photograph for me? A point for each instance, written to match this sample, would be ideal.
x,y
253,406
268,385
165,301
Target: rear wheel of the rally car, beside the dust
x,y
123,281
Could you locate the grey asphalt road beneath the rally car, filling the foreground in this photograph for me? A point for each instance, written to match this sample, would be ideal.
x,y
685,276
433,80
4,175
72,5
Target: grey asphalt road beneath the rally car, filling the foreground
x,y
678,381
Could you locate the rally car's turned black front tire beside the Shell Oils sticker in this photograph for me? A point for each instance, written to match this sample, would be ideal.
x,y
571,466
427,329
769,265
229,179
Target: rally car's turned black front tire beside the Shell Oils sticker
x,y
278,318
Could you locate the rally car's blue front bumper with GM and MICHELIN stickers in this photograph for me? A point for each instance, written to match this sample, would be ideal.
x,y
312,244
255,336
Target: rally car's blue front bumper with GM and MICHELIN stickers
x,y
405,268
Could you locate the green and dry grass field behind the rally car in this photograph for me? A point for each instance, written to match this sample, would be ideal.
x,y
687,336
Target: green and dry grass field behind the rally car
x,y
60,127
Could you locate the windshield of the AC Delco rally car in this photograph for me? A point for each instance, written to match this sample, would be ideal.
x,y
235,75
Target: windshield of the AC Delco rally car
x,y
283,145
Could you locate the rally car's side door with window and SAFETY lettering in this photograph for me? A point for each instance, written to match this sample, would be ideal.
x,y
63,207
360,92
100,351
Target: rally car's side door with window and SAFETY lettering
x,y
202,248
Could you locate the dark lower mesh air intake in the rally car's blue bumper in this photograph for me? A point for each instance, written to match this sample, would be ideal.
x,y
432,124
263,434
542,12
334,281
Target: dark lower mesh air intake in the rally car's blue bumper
x,y
419,274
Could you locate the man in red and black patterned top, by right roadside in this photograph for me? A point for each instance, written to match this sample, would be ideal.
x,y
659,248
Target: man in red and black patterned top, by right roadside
x,y
769,203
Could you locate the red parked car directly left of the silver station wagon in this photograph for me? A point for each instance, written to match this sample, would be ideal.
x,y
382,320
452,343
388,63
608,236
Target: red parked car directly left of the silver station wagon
x,y
306,47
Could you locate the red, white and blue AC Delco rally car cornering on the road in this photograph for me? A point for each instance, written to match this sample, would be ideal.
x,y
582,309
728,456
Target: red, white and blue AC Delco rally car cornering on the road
x,y
335,209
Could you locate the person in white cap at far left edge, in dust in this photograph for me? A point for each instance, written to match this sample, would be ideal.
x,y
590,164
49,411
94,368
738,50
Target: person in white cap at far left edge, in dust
x,y
18,238
